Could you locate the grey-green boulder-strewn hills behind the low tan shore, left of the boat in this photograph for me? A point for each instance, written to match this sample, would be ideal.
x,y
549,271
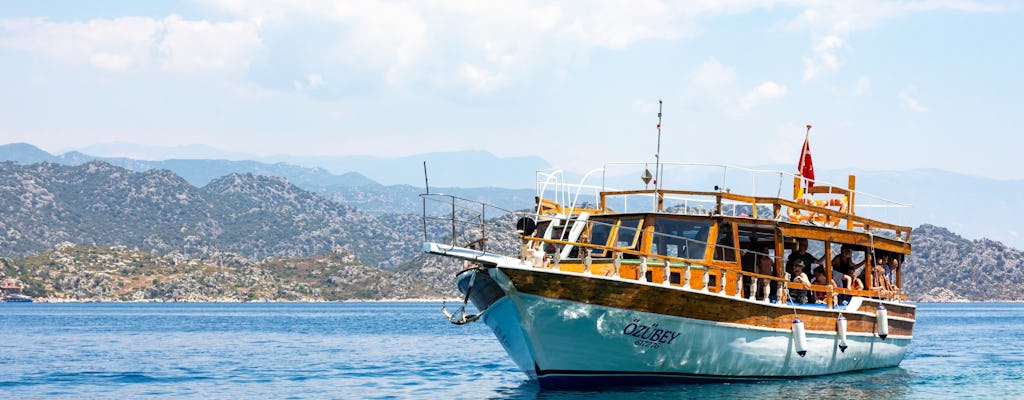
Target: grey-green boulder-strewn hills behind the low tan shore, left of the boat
x,y
97,204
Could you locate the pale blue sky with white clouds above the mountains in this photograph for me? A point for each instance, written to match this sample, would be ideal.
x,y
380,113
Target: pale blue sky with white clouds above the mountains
x,y
887,85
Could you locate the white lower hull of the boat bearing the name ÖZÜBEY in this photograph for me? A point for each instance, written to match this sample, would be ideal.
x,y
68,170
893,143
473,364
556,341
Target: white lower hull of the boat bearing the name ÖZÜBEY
x,y
565,343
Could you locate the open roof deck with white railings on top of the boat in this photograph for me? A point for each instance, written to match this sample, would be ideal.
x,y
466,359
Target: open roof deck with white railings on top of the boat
x,y
720,191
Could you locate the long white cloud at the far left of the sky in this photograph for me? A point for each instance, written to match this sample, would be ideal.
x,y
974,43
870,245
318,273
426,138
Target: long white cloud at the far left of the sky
x,y
137,42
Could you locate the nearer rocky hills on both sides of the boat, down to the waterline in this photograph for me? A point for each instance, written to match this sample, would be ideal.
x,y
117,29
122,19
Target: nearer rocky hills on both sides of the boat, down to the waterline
x,y
98,232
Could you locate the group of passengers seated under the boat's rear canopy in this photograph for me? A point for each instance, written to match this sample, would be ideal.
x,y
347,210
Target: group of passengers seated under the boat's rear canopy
x,y
846,274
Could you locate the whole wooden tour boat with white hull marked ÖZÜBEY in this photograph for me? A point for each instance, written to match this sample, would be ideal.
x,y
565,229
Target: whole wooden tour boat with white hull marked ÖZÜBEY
x,y
595,297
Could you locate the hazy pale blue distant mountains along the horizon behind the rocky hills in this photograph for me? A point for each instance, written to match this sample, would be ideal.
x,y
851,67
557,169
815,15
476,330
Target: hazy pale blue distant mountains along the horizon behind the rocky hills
x,y
973,207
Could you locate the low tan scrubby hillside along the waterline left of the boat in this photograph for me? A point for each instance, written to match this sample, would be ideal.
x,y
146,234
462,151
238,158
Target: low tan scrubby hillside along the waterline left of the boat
x,y
84,274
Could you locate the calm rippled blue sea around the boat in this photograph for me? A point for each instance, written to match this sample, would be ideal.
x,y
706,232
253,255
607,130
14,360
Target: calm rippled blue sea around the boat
x,y
403,350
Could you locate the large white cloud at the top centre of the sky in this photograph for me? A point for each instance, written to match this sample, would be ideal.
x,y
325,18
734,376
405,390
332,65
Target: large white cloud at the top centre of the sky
x,y
480,46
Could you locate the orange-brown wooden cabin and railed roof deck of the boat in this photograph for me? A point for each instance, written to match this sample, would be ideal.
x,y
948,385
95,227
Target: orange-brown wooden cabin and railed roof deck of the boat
x,y
713,224
